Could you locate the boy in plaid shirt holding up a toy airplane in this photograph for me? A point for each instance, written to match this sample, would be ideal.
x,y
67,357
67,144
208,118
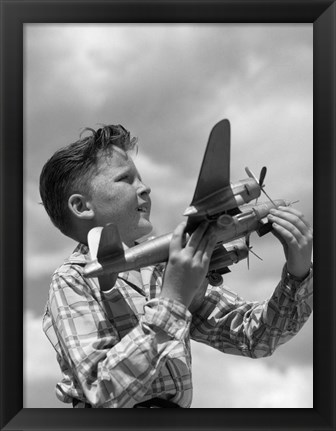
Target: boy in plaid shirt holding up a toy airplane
x,y
126,342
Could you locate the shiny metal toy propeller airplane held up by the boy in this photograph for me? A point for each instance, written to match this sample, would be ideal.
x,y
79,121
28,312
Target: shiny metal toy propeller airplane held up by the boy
x,y
216,200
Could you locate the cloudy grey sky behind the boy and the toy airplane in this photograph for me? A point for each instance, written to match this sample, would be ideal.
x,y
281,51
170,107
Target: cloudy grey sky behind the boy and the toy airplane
x,y
169,84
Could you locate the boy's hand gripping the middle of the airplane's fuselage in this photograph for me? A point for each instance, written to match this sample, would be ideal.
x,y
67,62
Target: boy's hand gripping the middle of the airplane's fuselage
x,y
188,263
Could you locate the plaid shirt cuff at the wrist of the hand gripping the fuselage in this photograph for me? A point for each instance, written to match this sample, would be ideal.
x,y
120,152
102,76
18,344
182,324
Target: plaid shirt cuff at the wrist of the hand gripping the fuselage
x,y
167,315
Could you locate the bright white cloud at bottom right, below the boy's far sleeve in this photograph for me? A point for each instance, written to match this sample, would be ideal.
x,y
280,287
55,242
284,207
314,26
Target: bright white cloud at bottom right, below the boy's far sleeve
x,y
225,381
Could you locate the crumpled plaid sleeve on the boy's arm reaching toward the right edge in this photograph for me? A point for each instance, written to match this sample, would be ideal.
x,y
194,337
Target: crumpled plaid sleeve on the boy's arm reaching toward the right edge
x,y
228,323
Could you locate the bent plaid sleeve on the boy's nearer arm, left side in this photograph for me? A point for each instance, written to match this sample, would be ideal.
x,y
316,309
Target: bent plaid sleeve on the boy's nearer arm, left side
x,y
113,372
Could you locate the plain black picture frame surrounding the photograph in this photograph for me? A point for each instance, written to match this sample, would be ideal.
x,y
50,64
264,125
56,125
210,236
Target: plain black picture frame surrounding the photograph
x,y
14,14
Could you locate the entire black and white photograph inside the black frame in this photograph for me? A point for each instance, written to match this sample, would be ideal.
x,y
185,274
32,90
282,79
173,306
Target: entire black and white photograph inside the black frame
x,y
182,155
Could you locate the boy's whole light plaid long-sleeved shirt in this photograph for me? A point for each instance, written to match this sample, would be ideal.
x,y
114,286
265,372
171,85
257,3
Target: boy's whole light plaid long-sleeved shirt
x,y
124,346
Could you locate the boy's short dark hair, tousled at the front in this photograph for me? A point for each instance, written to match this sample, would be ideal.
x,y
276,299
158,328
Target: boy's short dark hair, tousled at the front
x,y
70,168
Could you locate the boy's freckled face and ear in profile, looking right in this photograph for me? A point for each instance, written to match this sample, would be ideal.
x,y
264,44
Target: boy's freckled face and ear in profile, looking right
x,y
118,196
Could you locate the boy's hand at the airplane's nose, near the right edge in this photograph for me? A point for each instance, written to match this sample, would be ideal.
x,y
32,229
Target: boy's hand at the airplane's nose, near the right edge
x,y
296,236
